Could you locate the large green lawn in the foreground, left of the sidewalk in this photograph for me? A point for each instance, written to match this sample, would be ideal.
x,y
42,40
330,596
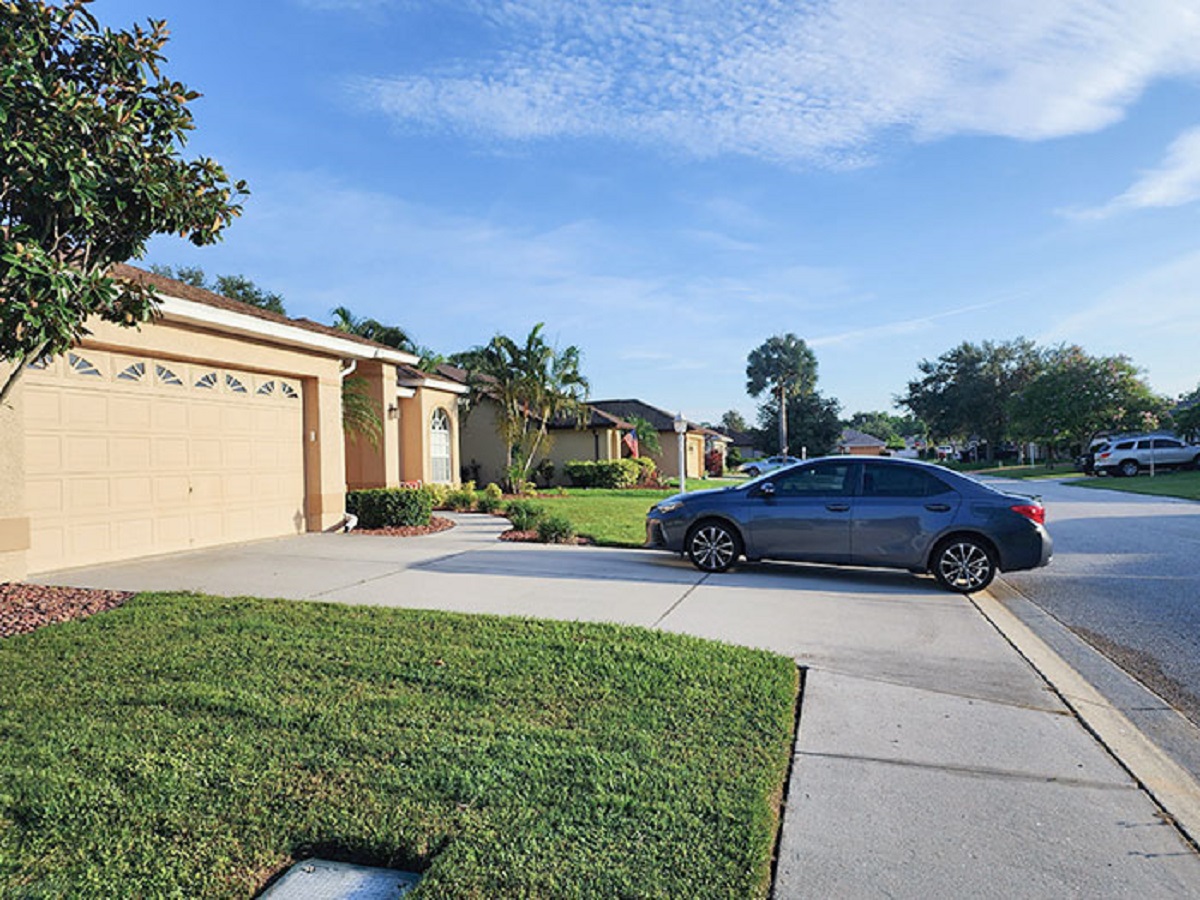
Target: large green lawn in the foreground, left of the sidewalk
x,y
187,746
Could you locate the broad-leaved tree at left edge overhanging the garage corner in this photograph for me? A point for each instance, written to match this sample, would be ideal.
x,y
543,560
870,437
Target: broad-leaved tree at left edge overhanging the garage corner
x,y
92,136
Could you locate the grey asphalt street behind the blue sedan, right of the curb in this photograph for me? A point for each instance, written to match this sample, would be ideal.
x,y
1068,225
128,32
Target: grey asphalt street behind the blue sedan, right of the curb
x,y
1125,578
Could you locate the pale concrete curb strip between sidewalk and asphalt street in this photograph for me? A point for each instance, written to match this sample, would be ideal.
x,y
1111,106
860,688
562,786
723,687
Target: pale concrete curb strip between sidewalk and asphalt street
x,y
1172,788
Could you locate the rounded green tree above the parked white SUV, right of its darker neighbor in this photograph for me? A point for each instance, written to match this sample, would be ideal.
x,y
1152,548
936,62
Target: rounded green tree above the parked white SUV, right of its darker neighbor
x,y
1078,395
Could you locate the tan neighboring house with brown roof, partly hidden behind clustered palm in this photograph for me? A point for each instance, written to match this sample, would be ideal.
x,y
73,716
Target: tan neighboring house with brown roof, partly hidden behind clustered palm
x,y
484,454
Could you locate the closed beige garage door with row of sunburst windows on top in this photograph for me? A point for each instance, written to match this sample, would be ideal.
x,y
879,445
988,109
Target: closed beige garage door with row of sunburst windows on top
x,y
128,457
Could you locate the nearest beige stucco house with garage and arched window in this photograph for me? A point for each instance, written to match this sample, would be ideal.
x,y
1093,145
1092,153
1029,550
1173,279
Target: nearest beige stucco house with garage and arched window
x,y
217,423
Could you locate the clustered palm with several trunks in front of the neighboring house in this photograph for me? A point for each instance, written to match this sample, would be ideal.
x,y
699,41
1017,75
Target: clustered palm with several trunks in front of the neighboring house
x,y
533,386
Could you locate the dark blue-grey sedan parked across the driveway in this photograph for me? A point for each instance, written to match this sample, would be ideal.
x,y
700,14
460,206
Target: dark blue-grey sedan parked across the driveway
x,y
854,511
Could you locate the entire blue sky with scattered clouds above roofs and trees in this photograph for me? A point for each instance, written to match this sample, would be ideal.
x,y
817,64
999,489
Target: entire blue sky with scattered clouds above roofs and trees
x,y
667,184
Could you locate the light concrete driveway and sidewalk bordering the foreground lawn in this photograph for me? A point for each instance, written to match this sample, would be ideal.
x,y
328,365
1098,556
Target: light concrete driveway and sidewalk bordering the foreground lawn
x,y
933,760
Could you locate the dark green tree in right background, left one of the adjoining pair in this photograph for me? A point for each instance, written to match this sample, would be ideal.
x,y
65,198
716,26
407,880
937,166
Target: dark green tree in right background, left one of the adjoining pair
x,y
967,392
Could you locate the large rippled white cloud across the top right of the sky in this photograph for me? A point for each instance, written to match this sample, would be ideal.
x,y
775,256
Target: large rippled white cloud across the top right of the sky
x,y
817,82
